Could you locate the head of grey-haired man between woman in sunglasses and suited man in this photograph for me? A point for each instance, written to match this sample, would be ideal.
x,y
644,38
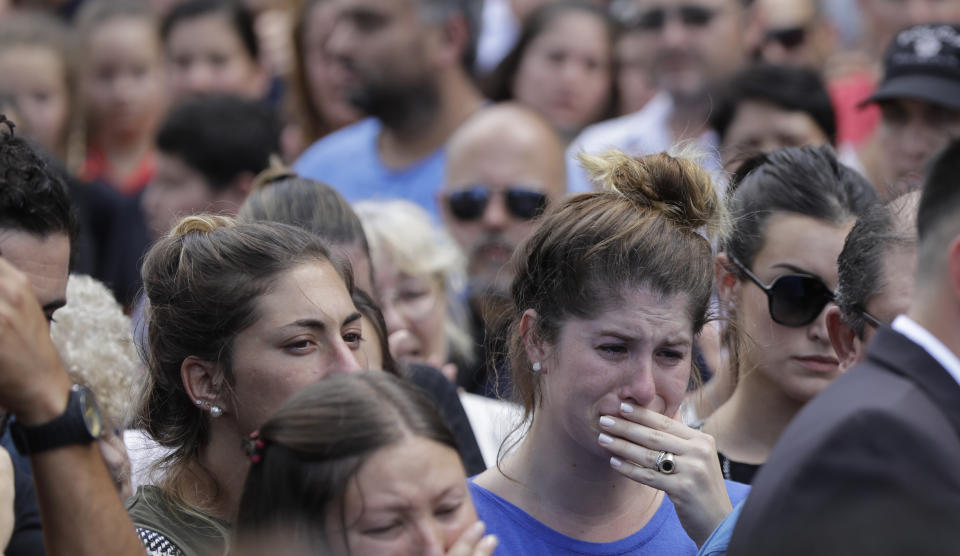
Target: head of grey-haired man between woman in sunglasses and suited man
x,y
875,280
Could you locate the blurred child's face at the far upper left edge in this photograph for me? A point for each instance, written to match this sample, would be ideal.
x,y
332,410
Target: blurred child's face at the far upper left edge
x,y
35,77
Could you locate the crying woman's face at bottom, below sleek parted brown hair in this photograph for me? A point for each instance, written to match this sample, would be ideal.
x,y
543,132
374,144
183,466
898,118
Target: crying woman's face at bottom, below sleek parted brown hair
x,y
407,498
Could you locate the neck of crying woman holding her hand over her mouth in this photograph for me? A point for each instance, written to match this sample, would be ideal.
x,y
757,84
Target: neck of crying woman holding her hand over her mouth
x,y
595,503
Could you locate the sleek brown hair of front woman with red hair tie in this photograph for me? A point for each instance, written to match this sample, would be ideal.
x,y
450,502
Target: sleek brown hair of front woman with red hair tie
x,y
318,440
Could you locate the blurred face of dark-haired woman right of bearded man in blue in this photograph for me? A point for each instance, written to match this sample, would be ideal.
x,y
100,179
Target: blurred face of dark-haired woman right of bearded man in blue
x,y
568,82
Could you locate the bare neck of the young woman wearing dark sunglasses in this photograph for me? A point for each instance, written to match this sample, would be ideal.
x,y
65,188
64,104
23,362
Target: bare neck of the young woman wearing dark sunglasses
x,y
748,425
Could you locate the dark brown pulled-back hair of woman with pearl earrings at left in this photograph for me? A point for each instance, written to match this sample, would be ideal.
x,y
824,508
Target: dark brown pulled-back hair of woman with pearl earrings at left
x,y
202,282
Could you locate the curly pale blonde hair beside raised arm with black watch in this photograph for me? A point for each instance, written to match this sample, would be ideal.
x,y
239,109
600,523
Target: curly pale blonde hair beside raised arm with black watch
x,y
95,342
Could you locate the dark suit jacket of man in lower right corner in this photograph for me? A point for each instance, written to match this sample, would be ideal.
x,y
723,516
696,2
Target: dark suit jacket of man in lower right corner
x,y
870,466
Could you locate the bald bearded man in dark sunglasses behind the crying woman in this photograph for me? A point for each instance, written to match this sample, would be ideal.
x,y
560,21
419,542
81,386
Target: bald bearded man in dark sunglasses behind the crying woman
x,y
504,166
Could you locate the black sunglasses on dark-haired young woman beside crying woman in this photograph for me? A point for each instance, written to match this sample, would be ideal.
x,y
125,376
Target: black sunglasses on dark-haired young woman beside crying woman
x,y
793,299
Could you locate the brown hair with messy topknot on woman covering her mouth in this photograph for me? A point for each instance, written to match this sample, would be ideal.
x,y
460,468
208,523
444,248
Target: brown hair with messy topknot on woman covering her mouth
x,y
641,230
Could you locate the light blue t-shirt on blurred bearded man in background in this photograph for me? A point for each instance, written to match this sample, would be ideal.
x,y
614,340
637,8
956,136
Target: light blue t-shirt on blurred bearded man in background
x,y
349,161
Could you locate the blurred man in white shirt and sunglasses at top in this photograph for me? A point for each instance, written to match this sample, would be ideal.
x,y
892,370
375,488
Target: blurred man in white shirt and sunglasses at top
x,y
694,46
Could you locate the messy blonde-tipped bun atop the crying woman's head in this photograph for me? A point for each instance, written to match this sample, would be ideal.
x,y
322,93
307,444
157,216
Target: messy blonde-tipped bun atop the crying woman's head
x,y
676,186
